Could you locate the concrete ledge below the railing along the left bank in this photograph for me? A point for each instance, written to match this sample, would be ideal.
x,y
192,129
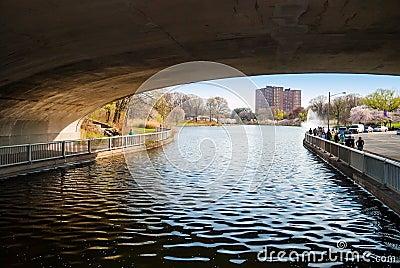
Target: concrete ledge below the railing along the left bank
x,y
23,169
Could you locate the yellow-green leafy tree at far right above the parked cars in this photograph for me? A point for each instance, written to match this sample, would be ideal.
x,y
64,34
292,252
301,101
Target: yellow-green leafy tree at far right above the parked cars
x,y
383,99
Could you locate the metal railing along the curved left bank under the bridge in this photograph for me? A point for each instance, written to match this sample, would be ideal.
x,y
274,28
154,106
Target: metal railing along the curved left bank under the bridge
x,y
29,153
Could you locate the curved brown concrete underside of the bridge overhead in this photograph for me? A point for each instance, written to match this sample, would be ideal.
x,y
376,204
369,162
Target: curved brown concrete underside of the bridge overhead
x,y
61,59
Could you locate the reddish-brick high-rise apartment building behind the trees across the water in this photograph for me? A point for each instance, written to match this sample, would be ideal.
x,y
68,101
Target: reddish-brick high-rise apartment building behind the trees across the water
x,y
278,98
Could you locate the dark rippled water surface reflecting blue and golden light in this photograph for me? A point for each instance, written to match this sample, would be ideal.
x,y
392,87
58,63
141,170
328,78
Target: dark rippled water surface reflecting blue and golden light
x,y
213,197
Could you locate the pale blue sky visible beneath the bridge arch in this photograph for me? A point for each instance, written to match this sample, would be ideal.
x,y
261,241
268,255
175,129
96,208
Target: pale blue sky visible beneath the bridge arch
x,y
311,85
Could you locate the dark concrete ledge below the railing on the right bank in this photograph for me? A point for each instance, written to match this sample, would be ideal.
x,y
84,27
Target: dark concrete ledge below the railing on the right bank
x,y
386,195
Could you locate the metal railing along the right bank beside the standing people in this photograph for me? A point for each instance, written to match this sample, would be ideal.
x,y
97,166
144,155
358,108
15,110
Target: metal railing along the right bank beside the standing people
x,y
383,170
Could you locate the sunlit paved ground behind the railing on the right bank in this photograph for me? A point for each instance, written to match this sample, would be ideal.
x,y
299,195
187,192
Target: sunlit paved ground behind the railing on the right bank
x,y
386,144
